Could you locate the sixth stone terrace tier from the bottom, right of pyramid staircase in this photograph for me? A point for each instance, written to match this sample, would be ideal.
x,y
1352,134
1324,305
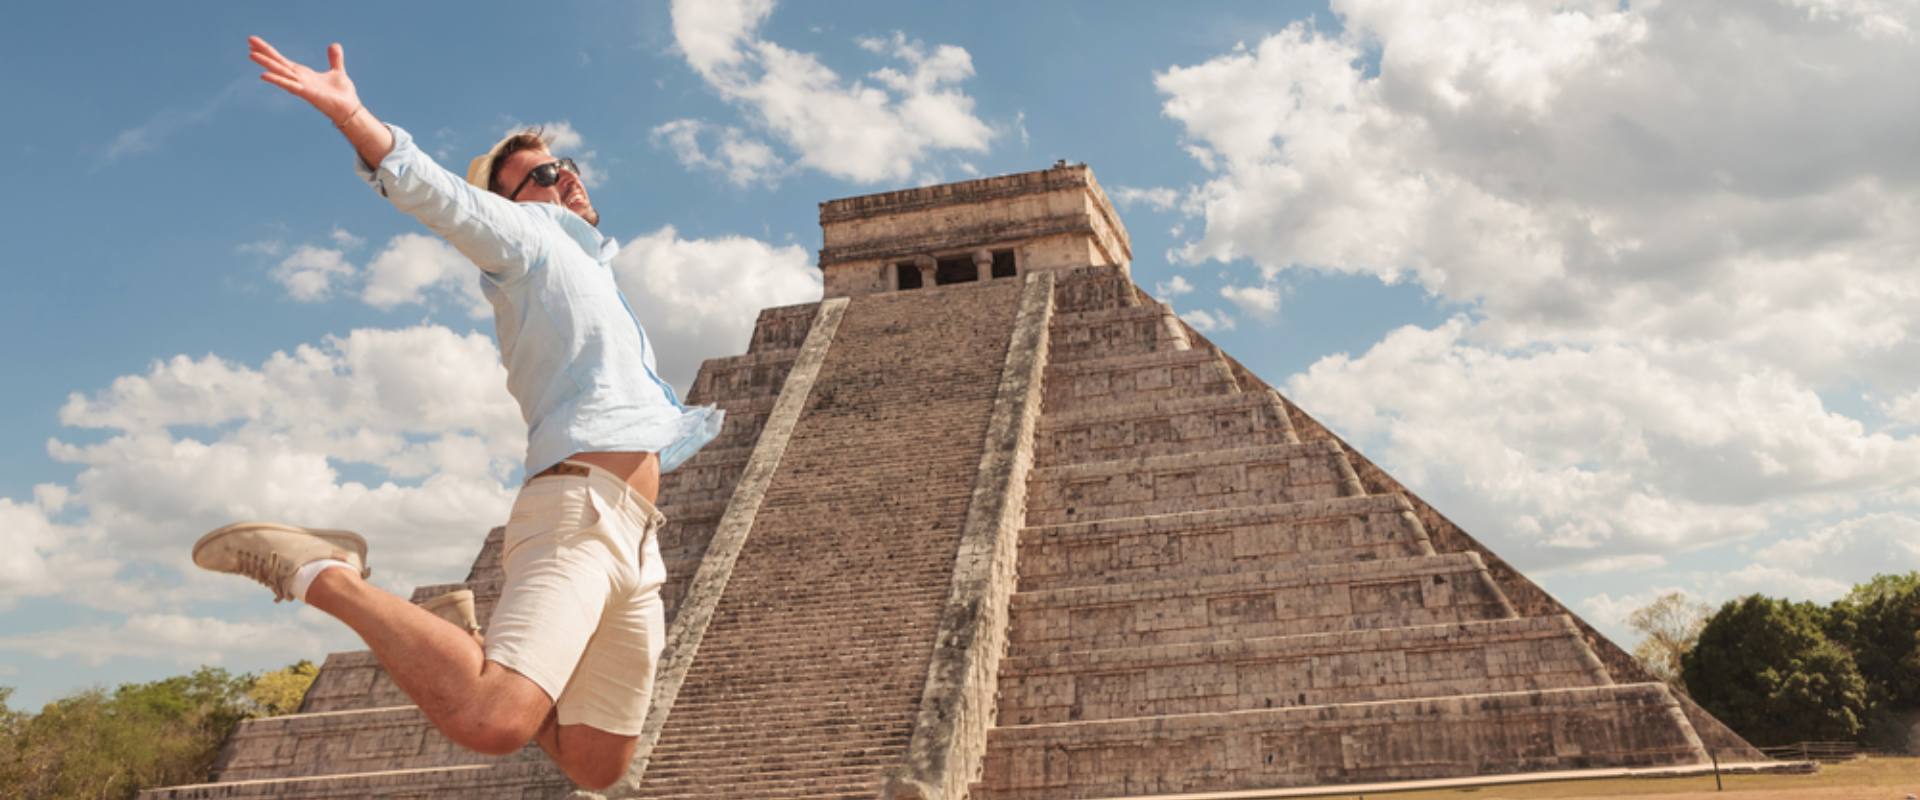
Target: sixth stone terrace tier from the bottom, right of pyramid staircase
x,y
1163,427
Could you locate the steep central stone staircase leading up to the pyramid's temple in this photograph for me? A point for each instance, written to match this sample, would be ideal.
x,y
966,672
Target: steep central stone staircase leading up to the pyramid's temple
x,y
807,678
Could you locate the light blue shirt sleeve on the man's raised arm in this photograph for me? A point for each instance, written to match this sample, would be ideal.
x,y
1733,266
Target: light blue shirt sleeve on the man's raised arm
x,y
494,233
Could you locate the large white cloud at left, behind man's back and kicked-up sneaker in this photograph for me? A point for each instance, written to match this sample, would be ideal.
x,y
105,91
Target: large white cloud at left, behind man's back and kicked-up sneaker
x,y
418,415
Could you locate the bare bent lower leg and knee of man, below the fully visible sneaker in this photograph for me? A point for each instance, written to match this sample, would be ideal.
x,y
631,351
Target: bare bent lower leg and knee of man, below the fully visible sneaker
x,y
475,703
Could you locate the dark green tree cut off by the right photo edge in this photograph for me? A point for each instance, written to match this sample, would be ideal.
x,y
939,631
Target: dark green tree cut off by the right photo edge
x,y
1881,623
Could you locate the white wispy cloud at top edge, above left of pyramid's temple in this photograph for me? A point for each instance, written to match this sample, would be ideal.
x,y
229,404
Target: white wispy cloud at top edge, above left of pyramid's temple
x,y
850,129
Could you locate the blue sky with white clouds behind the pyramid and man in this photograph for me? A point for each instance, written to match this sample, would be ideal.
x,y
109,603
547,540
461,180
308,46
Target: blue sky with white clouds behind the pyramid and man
x,y
1623,291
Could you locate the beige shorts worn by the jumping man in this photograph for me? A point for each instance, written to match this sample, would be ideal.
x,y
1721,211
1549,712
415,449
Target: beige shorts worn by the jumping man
x,y
581,611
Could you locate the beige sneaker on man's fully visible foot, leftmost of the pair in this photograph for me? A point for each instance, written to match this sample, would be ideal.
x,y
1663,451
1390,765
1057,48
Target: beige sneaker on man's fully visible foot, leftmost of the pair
x,y
272,553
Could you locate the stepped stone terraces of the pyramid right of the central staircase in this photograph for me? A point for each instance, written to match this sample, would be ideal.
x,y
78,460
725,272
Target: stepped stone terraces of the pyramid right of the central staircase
x,y
1211,601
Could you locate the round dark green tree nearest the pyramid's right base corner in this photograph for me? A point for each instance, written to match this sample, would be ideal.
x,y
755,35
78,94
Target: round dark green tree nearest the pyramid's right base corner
x,y
1767,669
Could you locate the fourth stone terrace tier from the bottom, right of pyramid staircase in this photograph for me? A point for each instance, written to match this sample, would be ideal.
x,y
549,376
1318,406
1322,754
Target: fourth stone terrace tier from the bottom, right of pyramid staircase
x,y
1216,542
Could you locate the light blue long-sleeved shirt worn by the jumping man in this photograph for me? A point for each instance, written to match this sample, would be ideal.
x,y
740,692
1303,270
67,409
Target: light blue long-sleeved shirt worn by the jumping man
x,y
577,358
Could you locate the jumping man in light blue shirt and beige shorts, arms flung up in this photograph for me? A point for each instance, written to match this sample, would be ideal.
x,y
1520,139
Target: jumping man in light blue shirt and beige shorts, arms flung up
x,y
573,644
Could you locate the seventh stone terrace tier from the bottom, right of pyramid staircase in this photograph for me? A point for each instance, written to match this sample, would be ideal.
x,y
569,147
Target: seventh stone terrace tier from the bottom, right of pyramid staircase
x,y
1136,379
